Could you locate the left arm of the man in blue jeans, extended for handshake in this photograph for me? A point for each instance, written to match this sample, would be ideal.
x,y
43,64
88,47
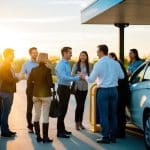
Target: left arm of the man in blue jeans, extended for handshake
x,y
94,74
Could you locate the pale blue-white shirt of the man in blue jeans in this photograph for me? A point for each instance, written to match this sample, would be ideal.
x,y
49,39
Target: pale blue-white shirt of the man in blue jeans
x,y
106,73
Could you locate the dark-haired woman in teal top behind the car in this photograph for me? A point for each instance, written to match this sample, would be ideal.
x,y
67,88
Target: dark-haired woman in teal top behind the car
x,y
135,61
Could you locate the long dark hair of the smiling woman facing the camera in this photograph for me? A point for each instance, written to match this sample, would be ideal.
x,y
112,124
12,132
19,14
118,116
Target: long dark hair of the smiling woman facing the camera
x,y
86,62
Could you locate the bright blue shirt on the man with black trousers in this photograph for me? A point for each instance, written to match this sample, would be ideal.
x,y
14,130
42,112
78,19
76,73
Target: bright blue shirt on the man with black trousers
x,y
63,72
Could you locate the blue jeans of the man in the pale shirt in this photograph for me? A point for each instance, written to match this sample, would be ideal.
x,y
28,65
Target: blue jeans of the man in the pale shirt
x,y
107,99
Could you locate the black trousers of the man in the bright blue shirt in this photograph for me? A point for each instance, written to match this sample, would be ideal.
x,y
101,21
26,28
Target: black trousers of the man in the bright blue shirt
x,y
64,96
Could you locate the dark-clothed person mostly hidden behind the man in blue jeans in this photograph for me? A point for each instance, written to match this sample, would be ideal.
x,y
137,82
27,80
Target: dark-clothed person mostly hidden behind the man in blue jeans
x,y
123,98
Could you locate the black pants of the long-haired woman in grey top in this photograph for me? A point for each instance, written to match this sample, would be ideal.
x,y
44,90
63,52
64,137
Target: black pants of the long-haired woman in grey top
x,y
80,99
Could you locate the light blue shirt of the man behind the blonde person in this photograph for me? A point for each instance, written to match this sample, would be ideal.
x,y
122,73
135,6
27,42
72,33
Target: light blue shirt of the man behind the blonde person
x,y
27,67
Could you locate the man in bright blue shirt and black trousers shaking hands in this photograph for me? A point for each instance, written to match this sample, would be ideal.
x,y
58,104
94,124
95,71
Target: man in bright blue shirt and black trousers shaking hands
x,y
63,72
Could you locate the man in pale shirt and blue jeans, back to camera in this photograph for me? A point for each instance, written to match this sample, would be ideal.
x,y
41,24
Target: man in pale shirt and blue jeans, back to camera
x,y
106,72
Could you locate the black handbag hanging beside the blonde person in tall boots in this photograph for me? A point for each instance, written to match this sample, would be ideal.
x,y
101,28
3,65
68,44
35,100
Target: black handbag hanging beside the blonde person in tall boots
x,y
54,107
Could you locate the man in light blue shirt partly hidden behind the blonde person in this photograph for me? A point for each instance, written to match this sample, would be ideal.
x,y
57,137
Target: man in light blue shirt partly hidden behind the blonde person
x,y
26,69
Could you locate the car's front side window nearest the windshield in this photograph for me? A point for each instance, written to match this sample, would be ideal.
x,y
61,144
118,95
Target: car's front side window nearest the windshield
x,y
138,75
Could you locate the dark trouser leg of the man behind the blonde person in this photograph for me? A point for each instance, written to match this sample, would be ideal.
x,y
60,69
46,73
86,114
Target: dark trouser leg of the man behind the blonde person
x,y
29,94
